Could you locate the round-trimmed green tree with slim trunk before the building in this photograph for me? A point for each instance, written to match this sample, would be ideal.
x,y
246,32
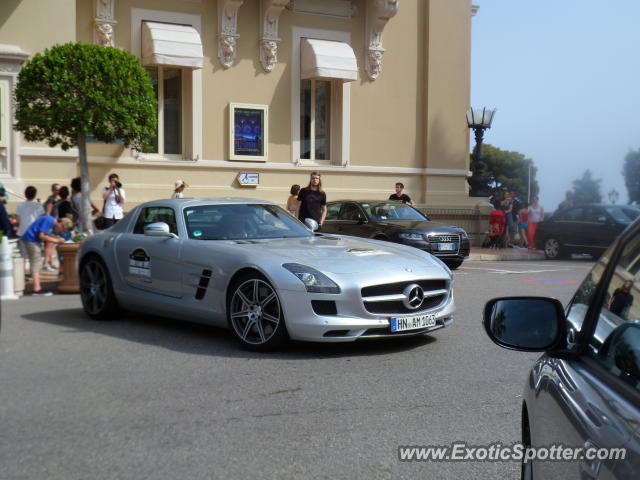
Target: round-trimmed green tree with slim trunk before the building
x,y
74,90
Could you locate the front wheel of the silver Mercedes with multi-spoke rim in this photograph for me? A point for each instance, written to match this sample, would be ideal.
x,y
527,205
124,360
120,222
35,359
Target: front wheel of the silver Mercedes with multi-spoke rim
x,y
255,314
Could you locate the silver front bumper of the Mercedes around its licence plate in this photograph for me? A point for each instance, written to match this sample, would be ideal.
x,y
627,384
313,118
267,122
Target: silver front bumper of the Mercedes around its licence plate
x,y
352,321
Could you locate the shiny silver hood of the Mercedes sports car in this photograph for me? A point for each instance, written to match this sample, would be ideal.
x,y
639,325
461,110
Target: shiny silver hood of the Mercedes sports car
x,y
341,254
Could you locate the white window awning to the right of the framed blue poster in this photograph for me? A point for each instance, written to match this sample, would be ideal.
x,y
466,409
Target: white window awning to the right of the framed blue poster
x,y
327,59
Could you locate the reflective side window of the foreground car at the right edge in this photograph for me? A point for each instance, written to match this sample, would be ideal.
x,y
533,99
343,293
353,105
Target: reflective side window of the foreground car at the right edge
x,y
616,341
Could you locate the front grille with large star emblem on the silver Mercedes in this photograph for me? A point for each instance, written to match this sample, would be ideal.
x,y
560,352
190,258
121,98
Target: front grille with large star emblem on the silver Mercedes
x,y
435,294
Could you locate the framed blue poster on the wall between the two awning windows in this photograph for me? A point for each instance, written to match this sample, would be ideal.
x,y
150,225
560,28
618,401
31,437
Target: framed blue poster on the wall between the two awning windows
x,y
248,132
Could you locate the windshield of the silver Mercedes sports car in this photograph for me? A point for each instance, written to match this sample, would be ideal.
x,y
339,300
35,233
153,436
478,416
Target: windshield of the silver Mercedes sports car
x,y
241,222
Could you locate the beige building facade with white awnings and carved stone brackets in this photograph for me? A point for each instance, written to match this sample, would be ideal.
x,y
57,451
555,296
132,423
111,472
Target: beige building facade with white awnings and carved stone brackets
x,y
253,95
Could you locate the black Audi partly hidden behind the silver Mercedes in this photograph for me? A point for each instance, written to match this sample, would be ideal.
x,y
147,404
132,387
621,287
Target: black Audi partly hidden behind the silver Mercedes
x,y
400,223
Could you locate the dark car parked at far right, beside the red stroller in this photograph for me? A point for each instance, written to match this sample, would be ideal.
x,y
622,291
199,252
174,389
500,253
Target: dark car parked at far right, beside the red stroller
x,y
587,228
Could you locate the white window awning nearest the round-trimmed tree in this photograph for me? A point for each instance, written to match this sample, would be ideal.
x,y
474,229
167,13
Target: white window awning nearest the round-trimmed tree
x,y
171,45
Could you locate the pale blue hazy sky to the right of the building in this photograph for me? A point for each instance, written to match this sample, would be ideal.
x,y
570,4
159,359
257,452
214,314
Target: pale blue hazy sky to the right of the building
x,y
565,78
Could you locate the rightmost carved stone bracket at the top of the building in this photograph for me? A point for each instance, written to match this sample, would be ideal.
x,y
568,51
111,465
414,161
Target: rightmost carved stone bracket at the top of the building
x,y
379,12
